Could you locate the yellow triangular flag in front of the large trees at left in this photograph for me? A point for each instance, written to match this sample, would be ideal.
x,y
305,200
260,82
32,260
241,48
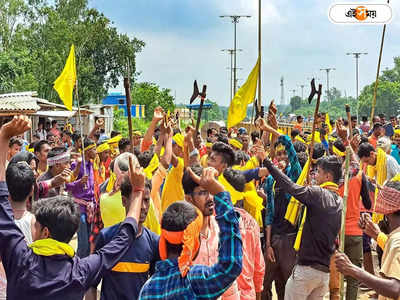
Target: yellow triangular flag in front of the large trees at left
x,y
64,84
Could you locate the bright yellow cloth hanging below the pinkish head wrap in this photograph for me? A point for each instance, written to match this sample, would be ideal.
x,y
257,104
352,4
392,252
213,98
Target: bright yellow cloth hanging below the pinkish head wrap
x,y
111,209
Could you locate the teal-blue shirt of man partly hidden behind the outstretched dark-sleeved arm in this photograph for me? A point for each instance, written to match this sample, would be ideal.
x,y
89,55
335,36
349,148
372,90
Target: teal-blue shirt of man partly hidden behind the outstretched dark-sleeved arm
x,y
277,199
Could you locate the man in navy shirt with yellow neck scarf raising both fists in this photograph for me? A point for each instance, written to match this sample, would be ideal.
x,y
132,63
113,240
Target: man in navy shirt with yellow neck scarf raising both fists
x,y
49,268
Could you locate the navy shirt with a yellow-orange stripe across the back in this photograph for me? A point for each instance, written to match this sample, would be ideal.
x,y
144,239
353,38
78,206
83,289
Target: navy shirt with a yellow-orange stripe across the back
x,y
125,280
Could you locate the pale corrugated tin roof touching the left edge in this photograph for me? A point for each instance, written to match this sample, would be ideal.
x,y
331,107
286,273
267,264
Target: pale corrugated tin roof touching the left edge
x,y
18,102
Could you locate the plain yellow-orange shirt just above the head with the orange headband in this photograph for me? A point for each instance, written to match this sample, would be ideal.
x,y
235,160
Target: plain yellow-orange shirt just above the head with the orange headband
x,y
173,189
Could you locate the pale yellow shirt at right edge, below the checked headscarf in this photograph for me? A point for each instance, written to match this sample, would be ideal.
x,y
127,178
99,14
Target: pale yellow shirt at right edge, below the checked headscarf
x,y
391,258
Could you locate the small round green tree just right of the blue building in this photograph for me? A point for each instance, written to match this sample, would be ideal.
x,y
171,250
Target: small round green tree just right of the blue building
x,y
152,96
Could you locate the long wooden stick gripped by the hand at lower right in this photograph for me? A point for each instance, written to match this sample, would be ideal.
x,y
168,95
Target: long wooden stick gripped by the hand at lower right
x,y
343,226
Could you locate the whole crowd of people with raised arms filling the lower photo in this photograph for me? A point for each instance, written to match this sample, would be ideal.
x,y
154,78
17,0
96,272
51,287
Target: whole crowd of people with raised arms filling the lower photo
x,y
168,214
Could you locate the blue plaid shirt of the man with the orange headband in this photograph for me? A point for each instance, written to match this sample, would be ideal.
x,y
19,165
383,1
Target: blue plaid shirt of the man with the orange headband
x,y
202,282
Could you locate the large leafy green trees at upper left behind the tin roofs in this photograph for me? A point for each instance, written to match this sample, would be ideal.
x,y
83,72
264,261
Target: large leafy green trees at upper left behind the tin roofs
x,y
35,38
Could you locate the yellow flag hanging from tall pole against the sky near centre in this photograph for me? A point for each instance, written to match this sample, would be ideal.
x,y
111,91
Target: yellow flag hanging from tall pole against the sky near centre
x,y
243,97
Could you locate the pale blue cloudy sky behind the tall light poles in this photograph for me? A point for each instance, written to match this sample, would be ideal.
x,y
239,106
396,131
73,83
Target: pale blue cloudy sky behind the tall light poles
x,y
184,39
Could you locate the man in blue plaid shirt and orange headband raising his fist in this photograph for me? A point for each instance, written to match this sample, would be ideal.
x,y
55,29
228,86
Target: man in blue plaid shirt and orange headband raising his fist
x,y
179,245
